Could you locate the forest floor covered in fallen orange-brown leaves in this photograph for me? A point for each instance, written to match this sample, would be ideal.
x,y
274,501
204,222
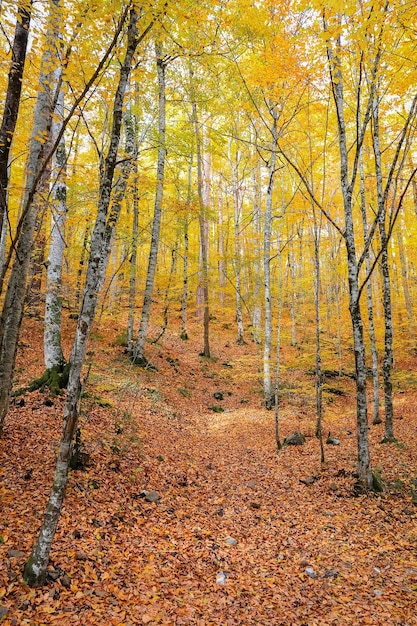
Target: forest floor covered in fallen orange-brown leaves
x,y
234,537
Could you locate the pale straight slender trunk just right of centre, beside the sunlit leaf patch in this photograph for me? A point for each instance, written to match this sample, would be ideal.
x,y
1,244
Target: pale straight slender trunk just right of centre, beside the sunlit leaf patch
x,y
268,394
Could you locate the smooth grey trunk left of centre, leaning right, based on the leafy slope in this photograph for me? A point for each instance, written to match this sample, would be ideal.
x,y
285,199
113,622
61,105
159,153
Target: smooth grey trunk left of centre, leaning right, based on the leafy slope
x,y
138,356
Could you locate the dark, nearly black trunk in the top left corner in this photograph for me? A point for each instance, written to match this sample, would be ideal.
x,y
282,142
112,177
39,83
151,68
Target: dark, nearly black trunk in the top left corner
x,y
12,102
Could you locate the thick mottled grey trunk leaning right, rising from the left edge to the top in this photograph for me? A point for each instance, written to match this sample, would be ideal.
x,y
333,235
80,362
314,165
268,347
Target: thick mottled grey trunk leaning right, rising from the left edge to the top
x,y
12,313
